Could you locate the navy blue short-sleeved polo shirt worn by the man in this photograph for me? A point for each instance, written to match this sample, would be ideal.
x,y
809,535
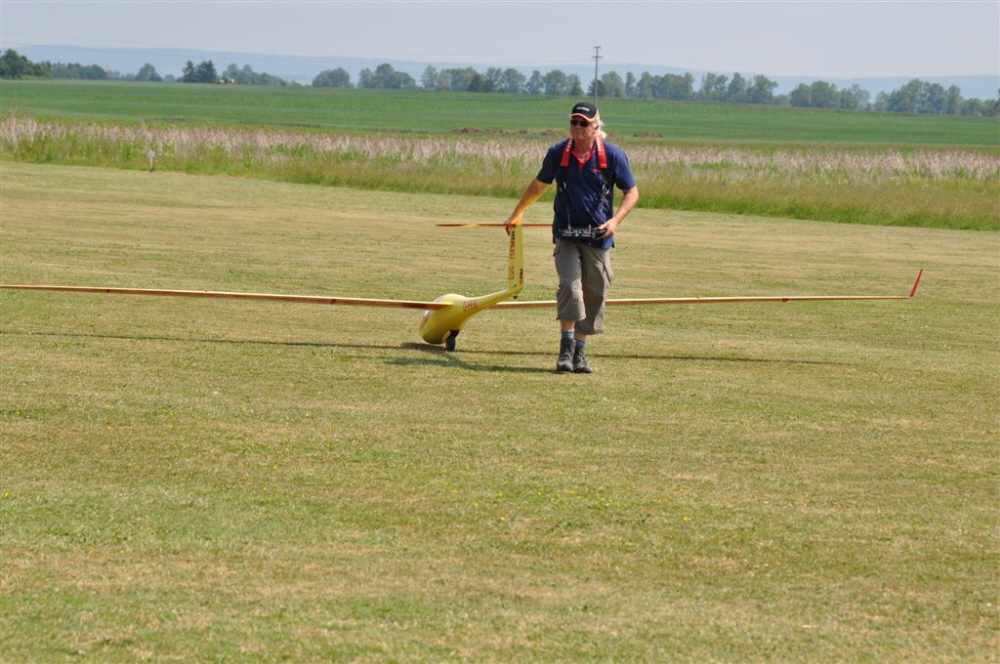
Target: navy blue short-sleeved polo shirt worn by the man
x,y
579,200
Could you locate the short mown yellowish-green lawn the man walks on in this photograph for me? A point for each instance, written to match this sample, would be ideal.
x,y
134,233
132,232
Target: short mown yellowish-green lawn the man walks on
x,y
249,481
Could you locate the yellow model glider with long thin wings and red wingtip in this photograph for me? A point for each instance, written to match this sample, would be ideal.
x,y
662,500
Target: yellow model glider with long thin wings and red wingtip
x,y
445,316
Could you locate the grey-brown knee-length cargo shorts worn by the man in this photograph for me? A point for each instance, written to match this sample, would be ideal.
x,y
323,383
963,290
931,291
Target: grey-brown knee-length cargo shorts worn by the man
x,y
584,276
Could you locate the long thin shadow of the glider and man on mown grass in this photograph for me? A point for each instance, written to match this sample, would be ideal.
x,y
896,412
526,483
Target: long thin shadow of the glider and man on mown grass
x,y
440,357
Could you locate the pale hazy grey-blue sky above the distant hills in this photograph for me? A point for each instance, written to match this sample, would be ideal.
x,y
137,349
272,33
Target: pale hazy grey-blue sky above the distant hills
x,y
845,38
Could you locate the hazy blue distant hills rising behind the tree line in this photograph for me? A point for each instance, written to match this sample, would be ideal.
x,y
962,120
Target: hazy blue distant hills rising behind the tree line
x,y
304,68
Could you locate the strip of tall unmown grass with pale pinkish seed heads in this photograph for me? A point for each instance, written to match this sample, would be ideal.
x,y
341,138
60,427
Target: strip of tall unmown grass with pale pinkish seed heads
x,y
929,187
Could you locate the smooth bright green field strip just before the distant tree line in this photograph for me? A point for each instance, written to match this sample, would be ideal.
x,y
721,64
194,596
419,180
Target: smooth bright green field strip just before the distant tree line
x,y
423,112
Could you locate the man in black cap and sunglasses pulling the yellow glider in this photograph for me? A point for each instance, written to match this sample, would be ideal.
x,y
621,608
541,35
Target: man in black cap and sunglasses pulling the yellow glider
x,y
586,169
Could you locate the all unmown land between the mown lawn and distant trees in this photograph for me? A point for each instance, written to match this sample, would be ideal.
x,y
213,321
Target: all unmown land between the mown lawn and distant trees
x,y
847,167
